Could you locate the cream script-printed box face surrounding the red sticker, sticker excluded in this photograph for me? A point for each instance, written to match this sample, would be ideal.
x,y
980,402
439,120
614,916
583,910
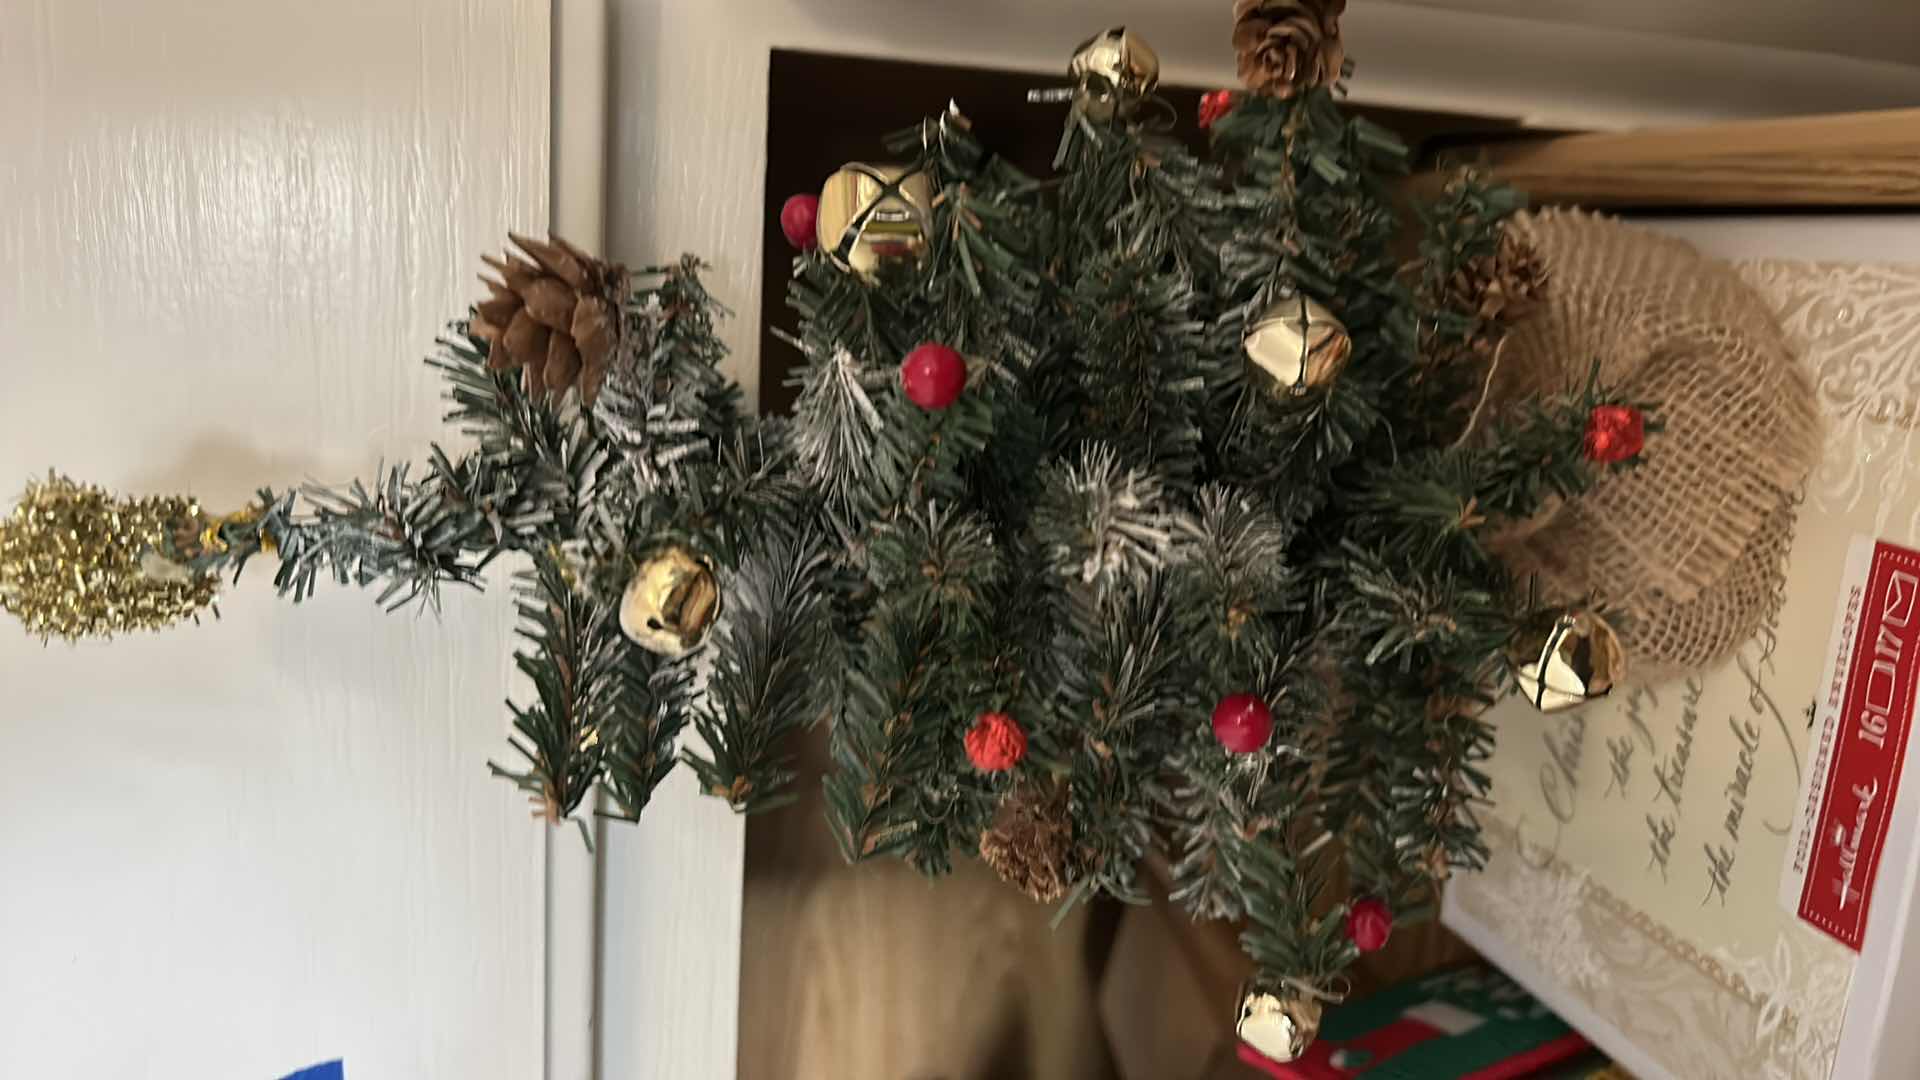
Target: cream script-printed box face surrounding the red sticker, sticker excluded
x,y
1639,845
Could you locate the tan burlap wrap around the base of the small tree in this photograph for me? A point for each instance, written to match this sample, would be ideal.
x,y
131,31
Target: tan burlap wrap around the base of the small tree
x,y
1687,554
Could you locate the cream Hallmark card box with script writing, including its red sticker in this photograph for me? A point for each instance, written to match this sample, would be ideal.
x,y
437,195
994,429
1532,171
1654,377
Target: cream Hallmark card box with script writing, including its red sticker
x,y
1716,877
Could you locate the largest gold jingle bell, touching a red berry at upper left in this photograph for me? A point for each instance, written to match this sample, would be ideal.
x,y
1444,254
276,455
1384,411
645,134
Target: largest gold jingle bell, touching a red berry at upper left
x,y
875,214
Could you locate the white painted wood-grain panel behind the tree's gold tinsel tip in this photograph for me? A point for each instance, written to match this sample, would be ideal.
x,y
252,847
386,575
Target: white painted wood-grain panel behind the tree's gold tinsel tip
x,y
229,230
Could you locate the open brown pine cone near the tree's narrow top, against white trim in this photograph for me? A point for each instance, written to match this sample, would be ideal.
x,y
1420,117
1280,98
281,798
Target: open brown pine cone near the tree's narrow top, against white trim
x,y
554,314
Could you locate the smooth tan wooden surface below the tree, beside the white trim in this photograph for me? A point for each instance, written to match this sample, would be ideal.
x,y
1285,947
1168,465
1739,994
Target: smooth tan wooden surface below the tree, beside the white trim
x,y
875,973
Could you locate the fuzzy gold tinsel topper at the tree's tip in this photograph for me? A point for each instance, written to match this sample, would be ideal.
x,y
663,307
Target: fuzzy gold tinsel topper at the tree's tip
x,y
82,564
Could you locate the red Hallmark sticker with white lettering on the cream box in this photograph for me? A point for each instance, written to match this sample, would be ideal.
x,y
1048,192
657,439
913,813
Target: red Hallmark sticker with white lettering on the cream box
x,y
1869,710
